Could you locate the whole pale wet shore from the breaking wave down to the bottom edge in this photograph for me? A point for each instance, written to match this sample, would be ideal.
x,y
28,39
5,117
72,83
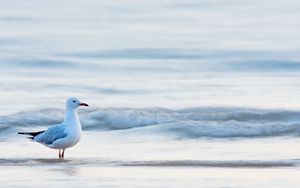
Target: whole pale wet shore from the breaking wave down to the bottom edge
x,y
102,162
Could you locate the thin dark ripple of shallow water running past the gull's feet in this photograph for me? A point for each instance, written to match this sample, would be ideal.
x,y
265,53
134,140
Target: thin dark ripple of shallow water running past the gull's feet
x,y
171,163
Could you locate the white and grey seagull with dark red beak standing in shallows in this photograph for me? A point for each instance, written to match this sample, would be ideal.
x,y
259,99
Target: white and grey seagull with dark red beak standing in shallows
x,y
64,135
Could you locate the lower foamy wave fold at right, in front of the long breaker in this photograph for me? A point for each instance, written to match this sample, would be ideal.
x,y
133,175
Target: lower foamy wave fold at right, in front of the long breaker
x,y
229,129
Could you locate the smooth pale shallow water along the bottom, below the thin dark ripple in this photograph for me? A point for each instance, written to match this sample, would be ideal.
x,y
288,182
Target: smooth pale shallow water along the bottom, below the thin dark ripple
x,y
64,176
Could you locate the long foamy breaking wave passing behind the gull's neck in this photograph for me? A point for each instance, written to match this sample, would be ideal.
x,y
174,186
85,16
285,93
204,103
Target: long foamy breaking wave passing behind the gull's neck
x,y
185,123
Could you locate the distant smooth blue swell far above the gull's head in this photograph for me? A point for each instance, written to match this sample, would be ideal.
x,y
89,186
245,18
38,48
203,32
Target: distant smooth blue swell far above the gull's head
x,y
169,60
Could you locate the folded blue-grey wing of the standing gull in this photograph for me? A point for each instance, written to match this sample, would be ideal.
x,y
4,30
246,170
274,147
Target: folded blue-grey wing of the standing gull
x,y
51,134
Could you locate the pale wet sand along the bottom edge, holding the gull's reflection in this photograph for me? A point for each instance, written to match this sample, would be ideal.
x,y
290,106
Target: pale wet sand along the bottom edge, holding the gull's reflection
x,y
50,173
